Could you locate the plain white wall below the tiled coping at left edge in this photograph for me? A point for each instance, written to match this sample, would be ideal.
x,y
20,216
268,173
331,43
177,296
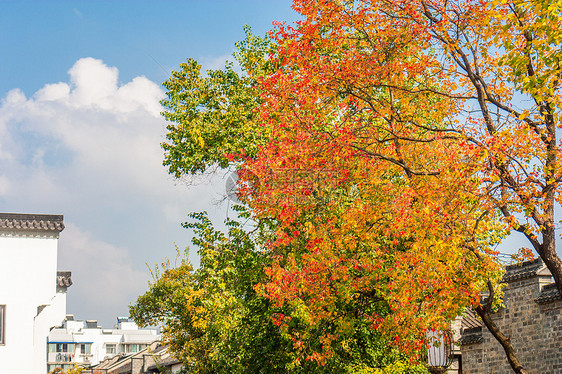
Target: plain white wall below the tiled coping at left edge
x,y
28,272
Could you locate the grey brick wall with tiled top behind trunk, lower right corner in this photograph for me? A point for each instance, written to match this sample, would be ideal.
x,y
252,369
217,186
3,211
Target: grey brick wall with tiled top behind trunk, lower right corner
x,y
532,318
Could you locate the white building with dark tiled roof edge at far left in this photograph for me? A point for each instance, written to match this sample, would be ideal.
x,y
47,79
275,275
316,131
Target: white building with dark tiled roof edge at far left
x,y
32,292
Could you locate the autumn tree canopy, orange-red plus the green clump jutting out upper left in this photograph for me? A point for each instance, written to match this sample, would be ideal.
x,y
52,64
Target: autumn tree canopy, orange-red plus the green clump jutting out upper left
x,y
394,143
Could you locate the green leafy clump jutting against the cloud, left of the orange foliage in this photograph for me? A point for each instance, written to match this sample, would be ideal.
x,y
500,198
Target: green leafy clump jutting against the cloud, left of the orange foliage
x,y
211,118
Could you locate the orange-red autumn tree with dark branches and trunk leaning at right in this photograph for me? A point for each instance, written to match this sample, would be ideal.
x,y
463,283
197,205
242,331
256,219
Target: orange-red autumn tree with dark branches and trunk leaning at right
x,y
449,107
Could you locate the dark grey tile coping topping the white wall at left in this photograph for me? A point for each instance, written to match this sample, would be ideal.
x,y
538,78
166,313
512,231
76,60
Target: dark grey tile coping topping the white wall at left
x,y
31,222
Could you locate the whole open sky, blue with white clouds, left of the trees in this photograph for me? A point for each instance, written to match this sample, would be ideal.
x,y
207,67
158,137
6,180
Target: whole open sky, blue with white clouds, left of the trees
x,y
80,130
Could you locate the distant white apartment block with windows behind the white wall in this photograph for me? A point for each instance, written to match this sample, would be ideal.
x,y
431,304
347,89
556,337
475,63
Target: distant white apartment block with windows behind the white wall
x,y
86,343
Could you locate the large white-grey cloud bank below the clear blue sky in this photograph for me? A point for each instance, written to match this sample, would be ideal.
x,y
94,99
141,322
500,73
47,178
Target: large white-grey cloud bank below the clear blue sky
x,y
90,149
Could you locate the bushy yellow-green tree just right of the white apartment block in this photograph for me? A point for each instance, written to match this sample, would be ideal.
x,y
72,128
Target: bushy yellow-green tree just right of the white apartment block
x,y
211,316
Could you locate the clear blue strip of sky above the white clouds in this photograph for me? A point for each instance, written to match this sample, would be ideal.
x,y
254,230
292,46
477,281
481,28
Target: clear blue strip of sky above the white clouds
x,y
41,40
